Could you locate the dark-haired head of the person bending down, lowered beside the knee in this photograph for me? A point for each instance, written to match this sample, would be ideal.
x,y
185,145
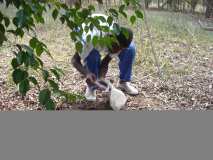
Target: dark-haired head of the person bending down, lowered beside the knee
x,y
124,39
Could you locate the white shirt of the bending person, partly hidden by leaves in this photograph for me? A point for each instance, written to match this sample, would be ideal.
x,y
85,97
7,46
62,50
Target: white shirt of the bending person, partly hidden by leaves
x,y
88,47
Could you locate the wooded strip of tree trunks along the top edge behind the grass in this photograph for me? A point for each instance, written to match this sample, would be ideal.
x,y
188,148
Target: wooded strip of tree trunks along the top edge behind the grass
x,y
202,6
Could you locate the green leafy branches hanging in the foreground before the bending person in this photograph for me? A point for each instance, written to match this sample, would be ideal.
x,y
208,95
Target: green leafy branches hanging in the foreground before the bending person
x,y
28,56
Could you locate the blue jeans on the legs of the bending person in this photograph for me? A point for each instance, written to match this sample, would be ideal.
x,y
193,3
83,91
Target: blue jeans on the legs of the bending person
x,y
126,57
